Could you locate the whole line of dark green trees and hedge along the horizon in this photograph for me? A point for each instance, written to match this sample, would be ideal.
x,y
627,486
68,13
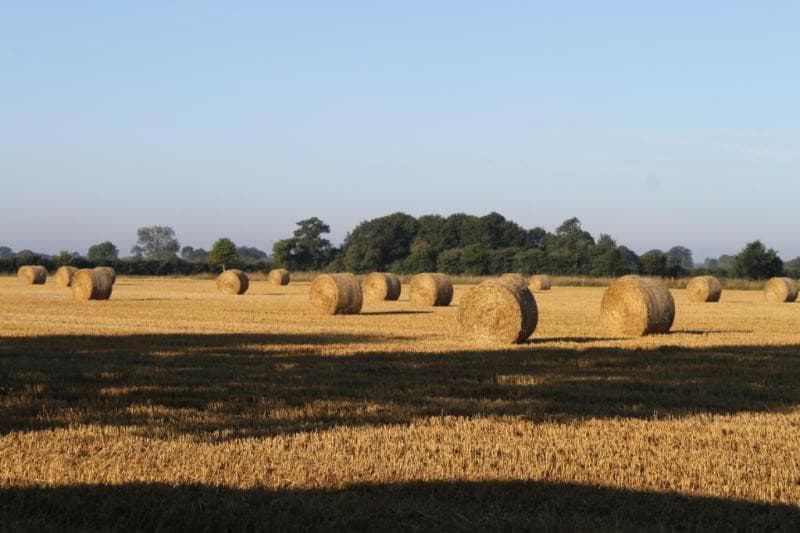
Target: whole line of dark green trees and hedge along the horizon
x,y
458,244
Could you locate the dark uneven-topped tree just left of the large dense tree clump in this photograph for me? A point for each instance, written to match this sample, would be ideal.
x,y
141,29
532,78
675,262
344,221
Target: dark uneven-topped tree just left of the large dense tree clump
x,y
307,249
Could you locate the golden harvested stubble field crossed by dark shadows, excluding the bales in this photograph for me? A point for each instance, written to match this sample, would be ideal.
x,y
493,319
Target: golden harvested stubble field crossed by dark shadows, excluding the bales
x,y
175,406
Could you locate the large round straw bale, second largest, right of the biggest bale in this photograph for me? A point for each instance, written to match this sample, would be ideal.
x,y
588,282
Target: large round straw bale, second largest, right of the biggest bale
x,y
636,306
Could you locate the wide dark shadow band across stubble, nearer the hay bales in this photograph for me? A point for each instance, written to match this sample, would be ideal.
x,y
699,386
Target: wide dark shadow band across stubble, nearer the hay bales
x,y
236,385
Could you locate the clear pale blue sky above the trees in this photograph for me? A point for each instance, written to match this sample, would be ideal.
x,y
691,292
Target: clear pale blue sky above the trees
x,y
661,123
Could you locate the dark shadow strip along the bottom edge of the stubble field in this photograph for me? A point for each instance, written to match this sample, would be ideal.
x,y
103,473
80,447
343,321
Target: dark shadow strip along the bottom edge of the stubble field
x,y
433,506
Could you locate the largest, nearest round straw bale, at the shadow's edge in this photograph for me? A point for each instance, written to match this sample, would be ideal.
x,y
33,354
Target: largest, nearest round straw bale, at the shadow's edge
x,y
498,311
